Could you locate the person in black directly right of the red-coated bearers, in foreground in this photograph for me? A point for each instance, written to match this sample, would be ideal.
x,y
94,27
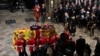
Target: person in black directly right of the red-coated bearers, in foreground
x,y
61,45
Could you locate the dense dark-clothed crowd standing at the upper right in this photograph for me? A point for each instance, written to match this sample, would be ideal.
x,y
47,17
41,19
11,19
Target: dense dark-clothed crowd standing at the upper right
x,y
86,14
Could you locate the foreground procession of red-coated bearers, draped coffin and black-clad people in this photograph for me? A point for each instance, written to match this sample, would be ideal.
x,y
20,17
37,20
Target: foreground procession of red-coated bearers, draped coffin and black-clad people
x,y
44,41
